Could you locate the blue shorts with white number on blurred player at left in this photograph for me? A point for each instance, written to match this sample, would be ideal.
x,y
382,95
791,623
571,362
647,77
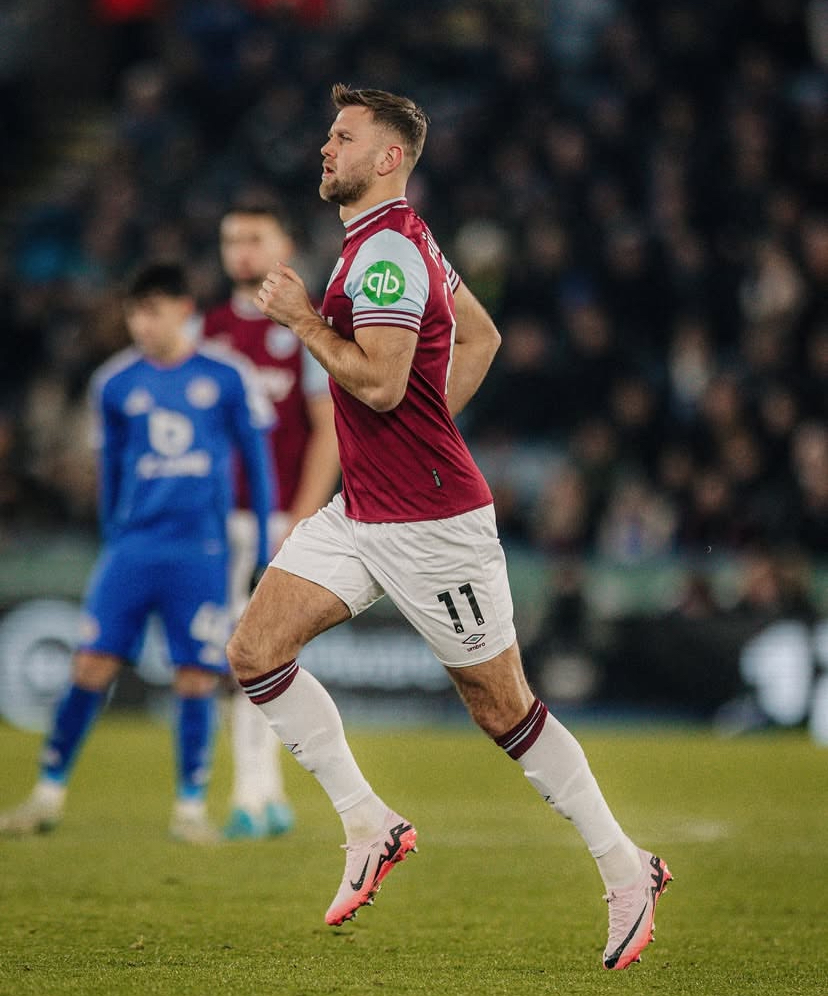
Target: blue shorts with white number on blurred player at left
x,y
186,587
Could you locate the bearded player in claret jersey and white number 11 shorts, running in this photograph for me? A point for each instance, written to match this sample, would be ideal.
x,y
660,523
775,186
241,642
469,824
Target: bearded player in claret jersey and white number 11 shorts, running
x,y
406,345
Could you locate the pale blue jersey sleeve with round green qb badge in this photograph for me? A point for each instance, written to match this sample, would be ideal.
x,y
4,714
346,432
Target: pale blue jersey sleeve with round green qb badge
x,y
388,283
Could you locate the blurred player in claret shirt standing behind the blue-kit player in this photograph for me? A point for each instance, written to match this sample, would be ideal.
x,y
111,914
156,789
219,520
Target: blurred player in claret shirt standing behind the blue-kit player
x,y
253,238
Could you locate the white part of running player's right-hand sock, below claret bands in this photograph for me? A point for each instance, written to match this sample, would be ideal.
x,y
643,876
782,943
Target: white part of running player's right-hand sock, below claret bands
x,y
557,767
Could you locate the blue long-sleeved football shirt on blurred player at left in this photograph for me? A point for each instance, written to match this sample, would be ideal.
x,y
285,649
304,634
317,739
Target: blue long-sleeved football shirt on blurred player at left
x,y
167,437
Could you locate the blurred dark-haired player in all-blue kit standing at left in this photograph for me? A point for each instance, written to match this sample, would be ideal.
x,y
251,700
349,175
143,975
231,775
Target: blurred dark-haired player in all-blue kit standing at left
x,y
171,417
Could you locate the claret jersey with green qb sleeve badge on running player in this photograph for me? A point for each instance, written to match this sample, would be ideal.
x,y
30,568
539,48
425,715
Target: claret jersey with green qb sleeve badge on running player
x,y
411,463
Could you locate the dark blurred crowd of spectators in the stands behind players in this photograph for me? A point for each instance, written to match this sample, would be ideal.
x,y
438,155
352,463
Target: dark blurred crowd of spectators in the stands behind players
x,y
637,190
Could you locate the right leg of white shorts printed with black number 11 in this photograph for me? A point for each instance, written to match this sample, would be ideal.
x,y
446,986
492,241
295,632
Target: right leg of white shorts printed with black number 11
x,y
448,578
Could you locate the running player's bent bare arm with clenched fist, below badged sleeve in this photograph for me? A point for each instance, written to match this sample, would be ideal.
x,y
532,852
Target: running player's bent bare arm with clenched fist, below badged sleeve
x,y
374,367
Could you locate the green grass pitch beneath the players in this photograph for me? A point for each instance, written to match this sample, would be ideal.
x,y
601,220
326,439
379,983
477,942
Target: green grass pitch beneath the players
x,y
501,899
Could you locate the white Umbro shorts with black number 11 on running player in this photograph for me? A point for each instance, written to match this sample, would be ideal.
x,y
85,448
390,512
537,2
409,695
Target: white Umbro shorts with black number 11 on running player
x,y
446,576
